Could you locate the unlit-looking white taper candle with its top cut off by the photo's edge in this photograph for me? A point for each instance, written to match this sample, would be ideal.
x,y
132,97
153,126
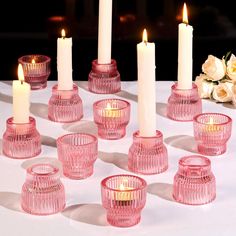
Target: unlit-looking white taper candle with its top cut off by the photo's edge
x,y
104,31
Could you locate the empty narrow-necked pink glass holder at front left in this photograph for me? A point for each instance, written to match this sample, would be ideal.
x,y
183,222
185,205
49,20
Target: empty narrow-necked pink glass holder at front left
x,y
43,192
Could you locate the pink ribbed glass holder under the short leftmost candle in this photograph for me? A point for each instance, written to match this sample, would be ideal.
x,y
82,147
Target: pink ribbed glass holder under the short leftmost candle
x,y
21,140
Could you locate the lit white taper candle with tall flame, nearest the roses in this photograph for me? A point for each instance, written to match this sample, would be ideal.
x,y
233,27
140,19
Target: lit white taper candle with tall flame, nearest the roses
x,y
185,44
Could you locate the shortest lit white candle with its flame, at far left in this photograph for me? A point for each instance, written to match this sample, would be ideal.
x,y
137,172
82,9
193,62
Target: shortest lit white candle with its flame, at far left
x,y
21,95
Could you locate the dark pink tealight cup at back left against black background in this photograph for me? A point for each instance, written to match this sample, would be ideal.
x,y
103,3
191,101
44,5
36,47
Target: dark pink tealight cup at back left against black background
x,y
36,70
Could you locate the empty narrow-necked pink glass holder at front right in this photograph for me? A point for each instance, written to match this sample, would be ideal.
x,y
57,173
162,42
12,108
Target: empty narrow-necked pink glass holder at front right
x,y
194,183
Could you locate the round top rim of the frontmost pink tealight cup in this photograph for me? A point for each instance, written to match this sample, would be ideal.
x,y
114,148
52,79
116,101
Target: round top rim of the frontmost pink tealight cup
x,y
143,183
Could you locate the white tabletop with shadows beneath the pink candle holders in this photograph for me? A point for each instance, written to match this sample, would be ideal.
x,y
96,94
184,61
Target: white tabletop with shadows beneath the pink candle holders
x,y
84,214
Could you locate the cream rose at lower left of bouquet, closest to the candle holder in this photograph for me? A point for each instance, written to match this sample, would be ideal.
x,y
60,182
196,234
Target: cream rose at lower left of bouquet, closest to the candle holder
x,y
205,87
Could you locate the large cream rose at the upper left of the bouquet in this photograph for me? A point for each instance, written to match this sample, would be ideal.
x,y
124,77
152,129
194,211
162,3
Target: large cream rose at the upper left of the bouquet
x,y
214,68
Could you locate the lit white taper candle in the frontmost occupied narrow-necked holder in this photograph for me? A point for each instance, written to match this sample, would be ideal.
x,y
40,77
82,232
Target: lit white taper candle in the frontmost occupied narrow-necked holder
x,y
146,87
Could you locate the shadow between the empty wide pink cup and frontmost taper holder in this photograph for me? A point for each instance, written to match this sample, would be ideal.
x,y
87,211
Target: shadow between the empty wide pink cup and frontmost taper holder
x,y
118,159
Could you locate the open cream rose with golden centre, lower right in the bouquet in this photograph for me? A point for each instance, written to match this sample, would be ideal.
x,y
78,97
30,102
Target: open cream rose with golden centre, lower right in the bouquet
x,y
223,92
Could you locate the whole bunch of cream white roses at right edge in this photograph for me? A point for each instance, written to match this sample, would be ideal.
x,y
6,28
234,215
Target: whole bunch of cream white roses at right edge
x,y
218,80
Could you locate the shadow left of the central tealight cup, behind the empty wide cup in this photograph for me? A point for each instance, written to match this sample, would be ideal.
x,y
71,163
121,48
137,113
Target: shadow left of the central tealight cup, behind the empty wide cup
x,y
83,126
